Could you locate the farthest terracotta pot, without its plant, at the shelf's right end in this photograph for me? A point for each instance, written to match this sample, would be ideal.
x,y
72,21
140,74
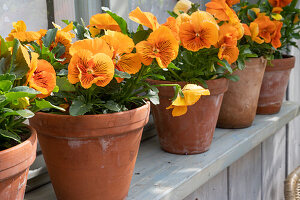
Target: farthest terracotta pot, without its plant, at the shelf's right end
x,y
274,85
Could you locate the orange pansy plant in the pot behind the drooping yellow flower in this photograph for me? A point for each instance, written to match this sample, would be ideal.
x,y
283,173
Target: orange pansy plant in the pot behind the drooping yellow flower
x,y
208,44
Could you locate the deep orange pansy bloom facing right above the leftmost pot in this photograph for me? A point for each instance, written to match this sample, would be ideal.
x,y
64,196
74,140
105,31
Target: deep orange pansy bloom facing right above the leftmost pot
x,y
41,76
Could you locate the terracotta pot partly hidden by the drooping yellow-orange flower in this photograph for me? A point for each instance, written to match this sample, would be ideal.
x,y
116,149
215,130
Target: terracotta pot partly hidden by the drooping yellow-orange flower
x,y
191,133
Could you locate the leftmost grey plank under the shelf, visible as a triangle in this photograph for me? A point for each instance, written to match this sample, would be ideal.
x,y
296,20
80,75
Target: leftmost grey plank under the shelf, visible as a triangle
x,y
214,189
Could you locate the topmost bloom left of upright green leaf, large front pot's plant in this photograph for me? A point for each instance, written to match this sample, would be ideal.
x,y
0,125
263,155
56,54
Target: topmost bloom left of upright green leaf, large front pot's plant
x,y
104,21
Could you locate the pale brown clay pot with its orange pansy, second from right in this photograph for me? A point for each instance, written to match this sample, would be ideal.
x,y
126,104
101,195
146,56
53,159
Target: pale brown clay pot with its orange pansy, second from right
x,y
261,36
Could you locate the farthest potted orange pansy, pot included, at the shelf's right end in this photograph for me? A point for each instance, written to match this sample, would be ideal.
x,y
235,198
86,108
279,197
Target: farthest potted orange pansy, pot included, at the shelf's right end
x,y
277,72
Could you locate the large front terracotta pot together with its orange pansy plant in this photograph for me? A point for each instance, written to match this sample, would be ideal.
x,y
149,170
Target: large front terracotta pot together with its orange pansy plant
x,y
90,149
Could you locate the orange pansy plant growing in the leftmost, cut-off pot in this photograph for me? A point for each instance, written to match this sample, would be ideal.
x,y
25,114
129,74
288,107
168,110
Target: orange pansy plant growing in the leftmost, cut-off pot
x,y
24,81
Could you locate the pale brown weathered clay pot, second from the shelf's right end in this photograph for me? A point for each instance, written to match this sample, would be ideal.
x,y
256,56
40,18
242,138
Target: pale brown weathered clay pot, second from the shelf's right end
x,y
239,105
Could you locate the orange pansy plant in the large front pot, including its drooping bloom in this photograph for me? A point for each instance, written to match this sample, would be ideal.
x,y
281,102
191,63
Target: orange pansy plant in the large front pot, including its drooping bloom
x,y
105,70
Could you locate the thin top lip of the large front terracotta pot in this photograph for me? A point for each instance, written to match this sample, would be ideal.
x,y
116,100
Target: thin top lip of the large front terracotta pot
x,y
97,115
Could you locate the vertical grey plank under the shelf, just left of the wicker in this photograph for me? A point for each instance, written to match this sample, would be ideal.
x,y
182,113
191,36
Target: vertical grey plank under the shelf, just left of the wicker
x,y
273,166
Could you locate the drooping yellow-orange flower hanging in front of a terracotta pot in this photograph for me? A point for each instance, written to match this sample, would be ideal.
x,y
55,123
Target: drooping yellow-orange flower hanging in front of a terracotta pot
x,y
192,94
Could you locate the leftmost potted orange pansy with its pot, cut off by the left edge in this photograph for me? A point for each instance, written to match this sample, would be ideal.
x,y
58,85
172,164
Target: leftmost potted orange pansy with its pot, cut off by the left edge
x,y
24,81
